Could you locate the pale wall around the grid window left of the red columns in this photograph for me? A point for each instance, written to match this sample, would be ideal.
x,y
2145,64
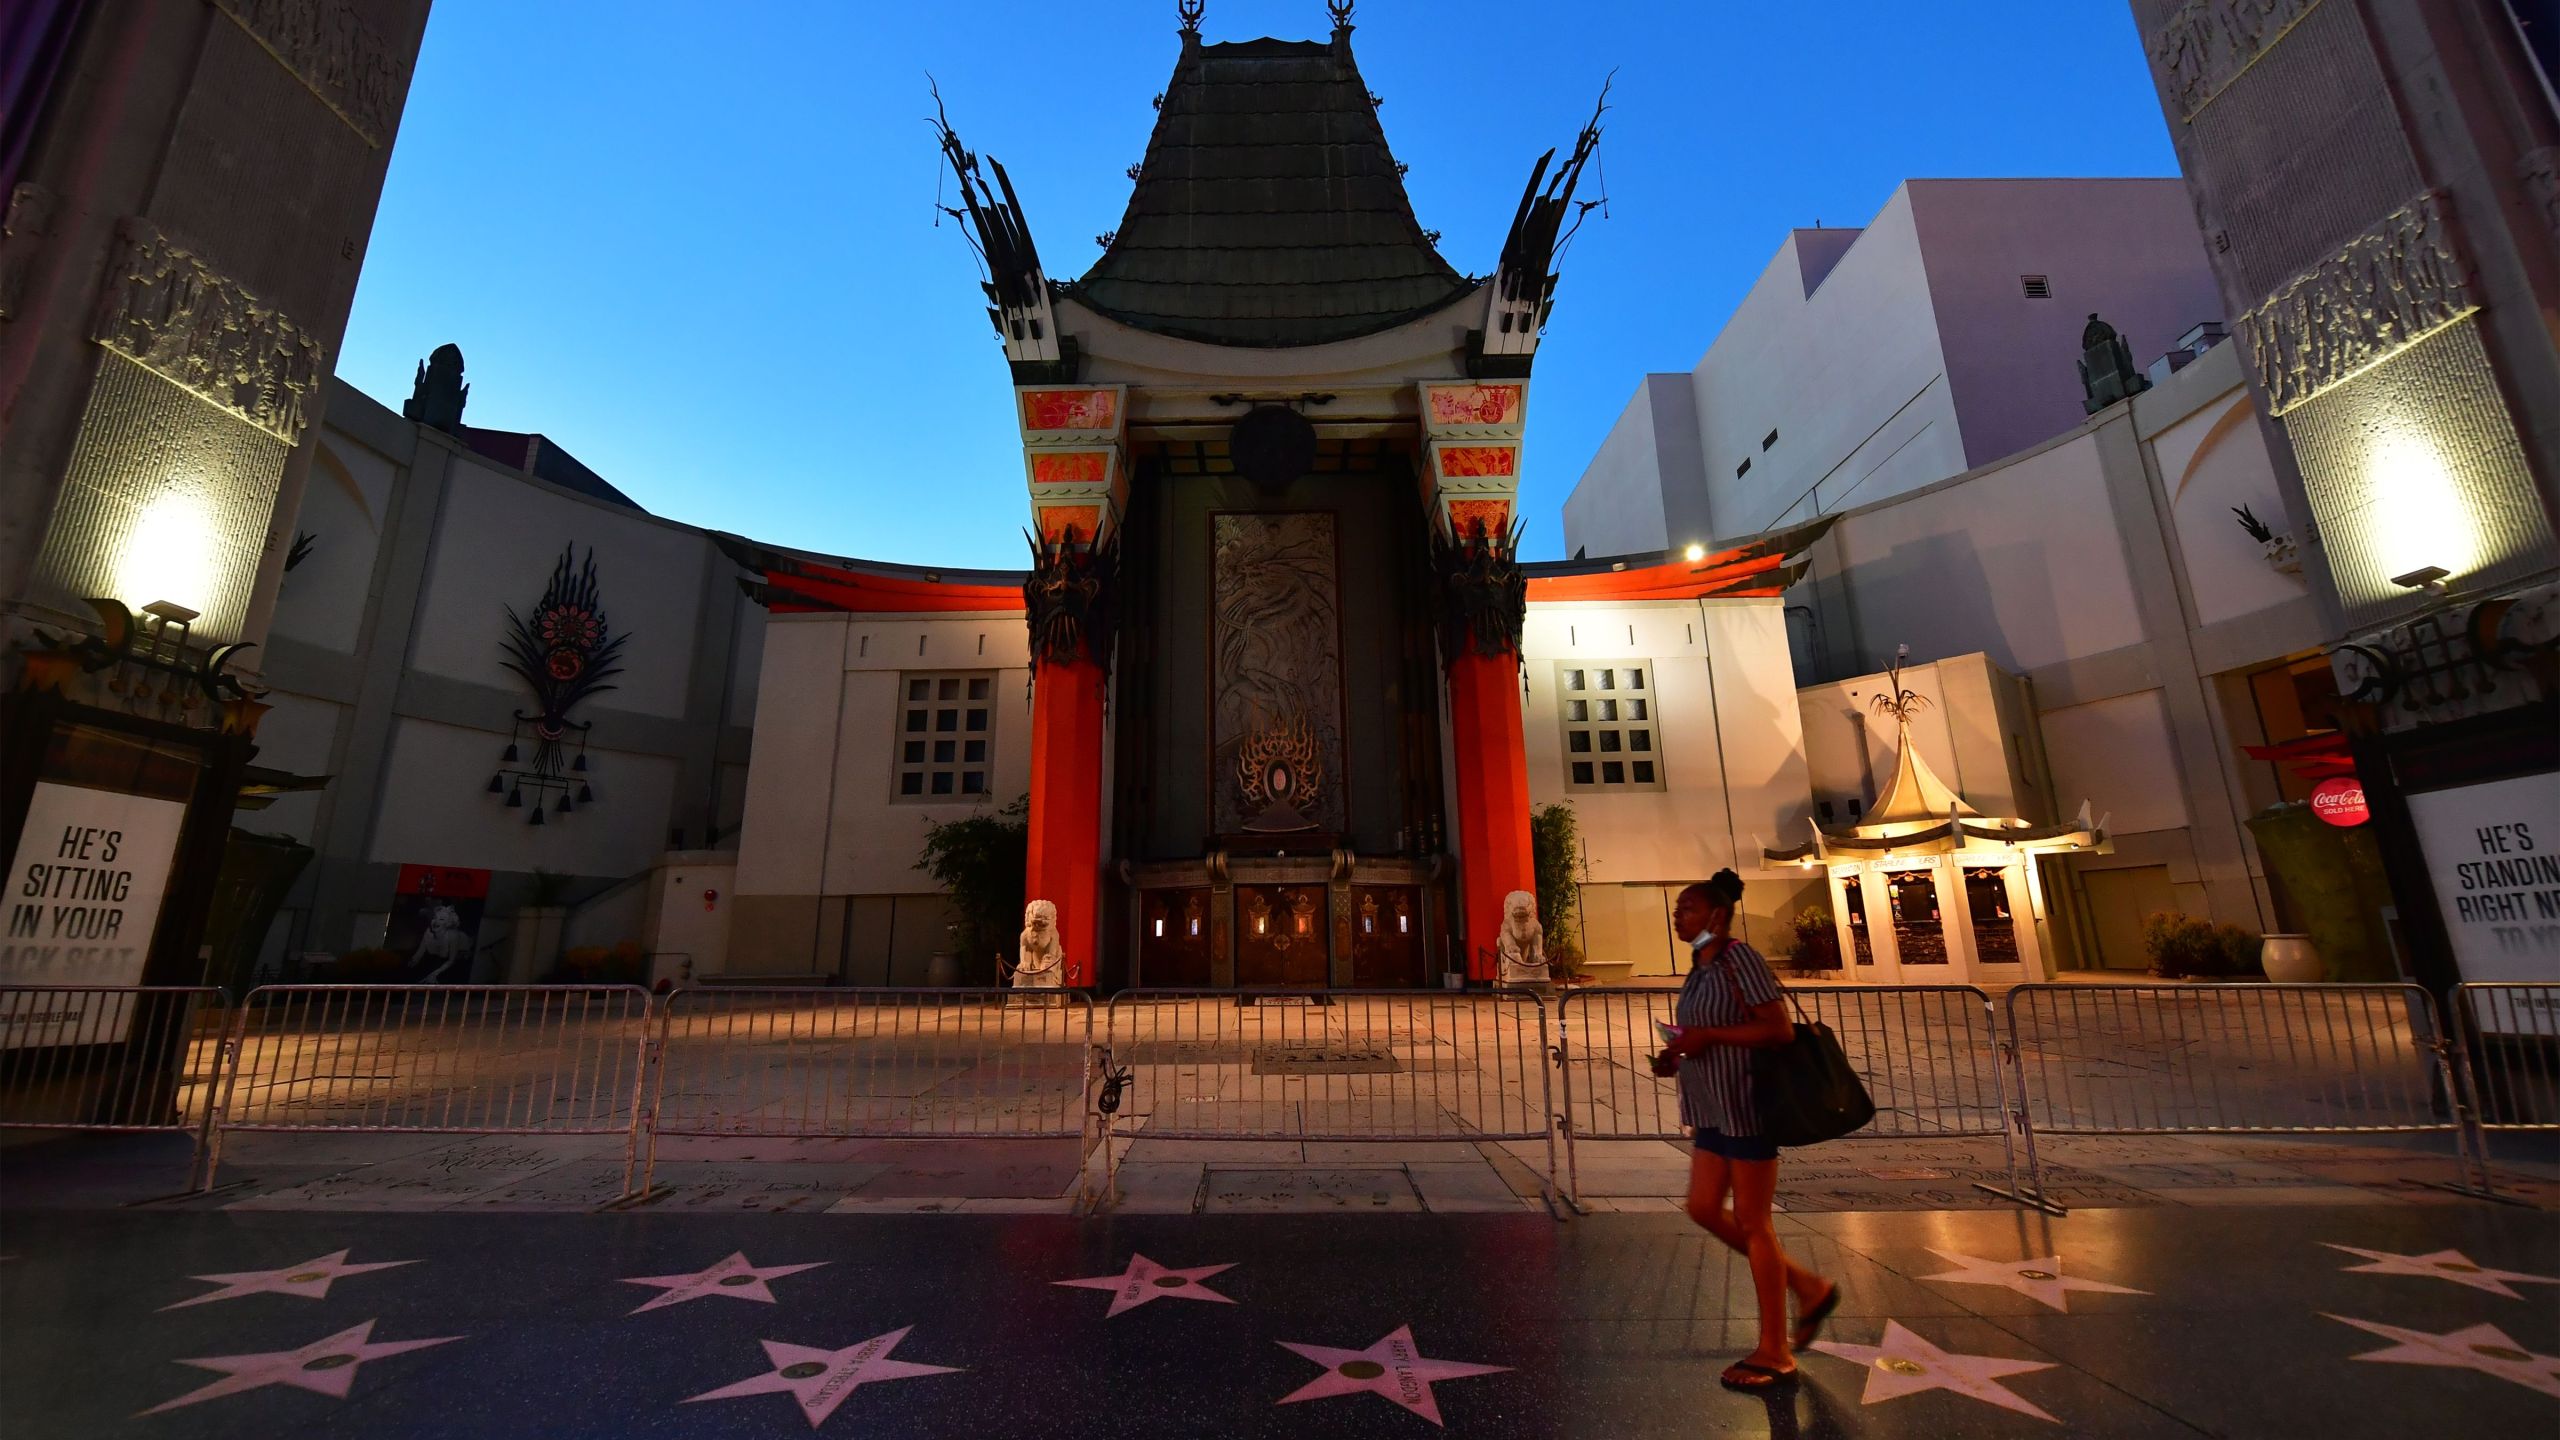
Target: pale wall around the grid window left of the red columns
x,y
820,814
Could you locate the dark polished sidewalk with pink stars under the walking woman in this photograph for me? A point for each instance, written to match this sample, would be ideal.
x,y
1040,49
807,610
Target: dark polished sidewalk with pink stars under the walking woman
x,y
2336,1321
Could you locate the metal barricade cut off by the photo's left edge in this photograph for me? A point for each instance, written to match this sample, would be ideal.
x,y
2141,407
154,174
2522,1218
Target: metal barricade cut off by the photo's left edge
x,y
109,1057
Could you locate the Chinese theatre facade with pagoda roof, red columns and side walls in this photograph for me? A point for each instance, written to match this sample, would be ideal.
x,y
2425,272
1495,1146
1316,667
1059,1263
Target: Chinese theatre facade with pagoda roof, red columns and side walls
x,y
1266,685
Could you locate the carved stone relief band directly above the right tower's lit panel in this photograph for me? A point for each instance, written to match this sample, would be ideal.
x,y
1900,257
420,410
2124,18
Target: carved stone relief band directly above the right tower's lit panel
x,y
2387,291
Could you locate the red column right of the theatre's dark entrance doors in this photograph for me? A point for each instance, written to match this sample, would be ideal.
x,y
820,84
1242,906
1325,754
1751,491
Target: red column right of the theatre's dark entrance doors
x,y
1491,770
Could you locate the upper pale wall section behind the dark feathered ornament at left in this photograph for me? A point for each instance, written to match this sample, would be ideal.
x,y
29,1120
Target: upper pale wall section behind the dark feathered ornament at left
x,y
495,544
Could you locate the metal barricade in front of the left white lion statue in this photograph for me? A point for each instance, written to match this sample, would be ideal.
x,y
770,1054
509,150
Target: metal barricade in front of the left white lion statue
x,y
887,1065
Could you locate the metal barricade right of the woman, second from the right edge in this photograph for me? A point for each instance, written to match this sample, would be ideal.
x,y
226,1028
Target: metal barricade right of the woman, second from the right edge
x,y
2231,1060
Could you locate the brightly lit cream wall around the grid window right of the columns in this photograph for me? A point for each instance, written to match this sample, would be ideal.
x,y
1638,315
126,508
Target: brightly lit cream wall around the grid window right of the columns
x,y
1727,721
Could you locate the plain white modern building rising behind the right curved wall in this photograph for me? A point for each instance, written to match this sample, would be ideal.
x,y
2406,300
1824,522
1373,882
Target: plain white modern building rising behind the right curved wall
x,y
1870,363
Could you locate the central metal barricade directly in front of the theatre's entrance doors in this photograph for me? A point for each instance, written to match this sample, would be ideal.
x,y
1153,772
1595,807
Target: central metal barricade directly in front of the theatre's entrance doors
x,y
1340,1065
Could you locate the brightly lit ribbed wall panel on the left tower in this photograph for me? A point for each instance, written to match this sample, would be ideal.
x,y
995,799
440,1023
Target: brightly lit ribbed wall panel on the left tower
x,y
168,498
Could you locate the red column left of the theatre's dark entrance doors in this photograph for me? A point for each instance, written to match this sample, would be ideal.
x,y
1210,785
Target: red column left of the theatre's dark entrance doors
x,y
1069,806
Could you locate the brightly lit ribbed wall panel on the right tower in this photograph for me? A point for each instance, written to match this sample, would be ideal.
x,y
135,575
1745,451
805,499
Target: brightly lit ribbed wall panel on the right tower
x,y
2415,465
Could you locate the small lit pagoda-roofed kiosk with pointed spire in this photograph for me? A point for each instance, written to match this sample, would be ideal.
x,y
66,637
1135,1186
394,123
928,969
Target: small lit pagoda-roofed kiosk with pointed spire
x,y
1926,888
